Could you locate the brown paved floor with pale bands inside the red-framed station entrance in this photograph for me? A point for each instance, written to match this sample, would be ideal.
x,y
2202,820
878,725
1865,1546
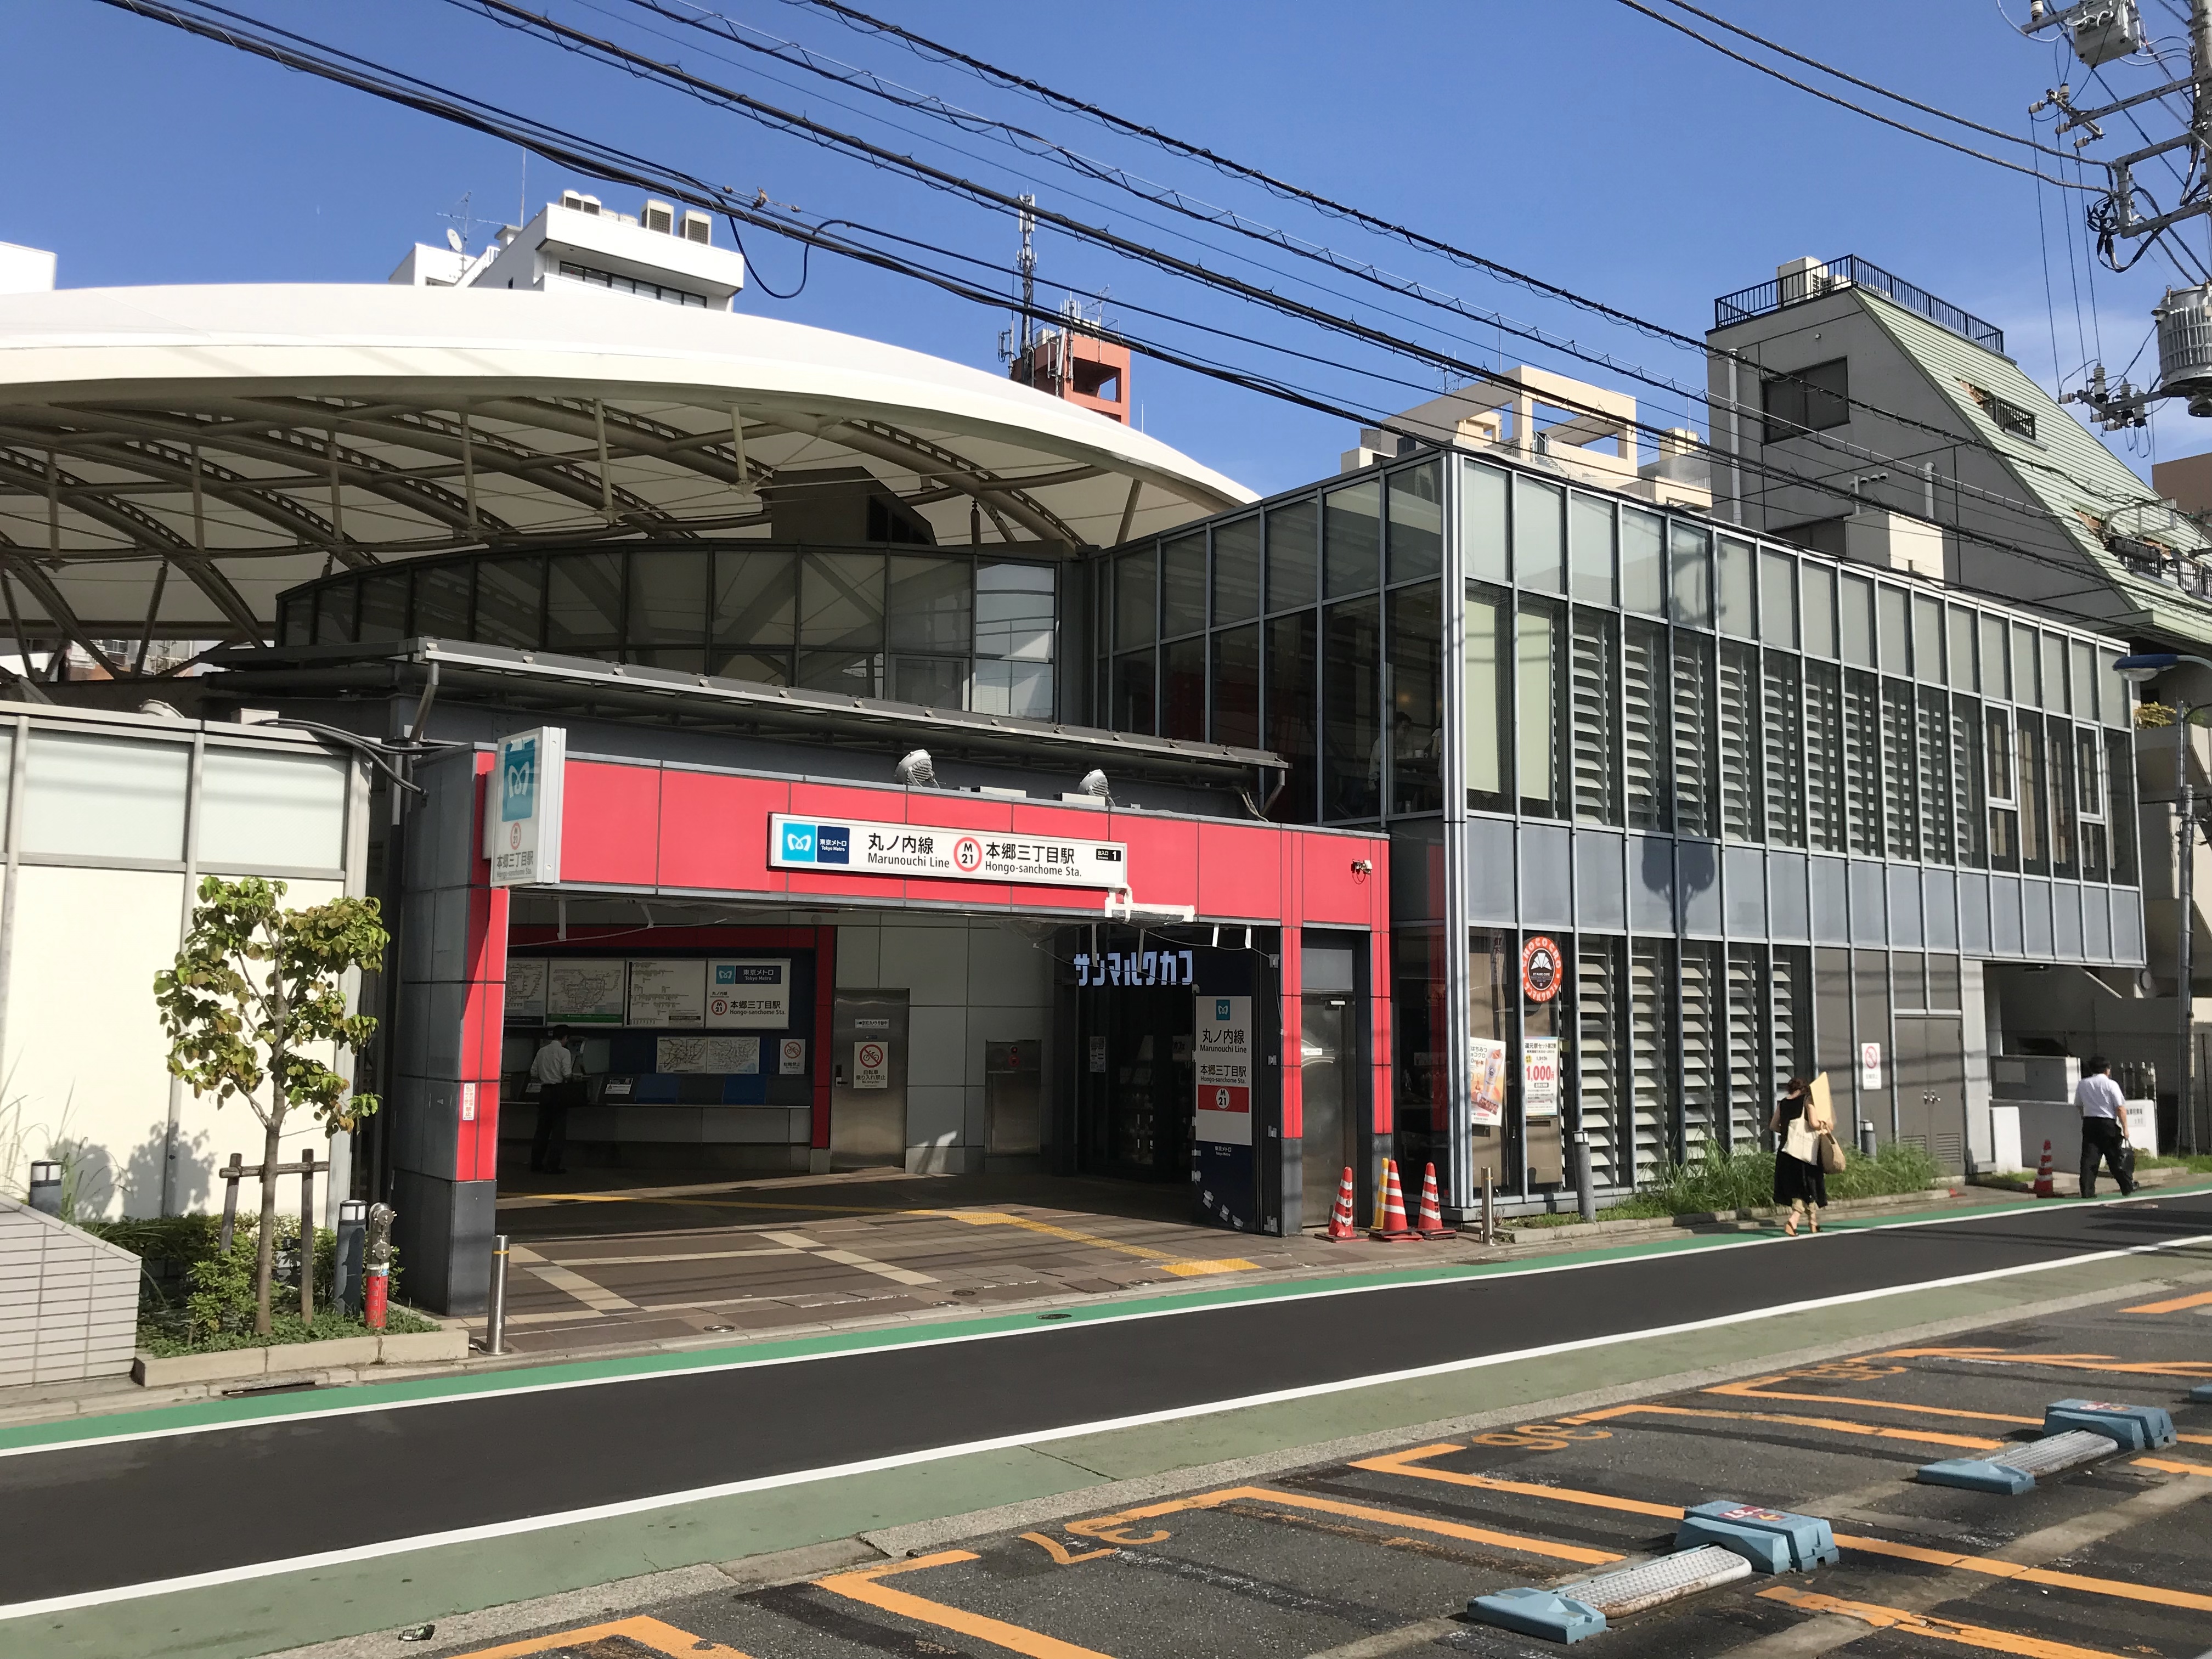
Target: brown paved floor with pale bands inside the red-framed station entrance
x,y
612,1266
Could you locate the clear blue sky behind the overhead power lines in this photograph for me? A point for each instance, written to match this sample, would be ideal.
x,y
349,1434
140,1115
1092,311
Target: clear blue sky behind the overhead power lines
x,y
1574,140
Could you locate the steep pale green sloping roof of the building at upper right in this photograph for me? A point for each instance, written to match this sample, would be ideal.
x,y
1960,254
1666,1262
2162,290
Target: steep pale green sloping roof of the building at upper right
x,y
2063,468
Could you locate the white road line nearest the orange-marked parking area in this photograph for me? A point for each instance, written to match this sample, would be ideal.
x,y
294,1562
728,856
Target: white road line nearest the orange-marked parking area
x,y
1001,1443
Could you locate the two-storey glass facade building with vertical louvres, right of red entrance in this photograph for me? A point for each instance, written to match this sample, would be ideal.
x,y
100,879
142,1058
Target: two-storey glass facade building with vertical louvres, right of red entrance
x,y
1771,811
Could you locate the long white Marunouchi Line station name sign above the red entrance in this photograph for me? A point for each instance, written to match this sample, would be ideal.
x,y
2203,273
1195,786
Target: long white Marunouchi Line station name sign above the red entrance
x,y
946,855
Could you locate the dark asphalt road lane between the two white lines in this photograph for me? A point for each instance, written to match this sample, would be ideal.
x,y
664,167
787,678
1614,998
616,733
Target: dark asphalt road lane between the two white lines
x,y
83,1519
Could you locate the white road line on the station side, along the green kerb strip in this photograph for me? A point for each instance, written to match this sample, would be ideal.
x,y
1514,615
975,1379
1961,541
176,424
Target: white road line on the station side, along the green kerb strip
x,y
1131,1315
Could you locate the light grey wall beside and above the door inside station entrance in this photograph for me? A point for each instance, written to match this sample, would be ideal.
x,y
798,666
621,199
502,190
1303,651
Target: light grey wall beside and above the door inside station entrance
x,y
970,981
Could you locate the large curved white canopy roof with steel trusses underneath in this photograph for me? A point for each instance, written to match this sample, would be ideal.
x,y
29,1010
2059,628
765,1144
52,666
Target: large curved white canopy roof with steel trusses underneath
x,y
191,452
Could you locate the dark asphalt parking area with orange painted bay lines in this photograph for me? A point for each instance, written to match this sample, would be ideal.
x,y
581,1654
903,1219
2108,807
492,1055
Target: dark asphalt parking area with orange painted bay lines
x,y
1377,1554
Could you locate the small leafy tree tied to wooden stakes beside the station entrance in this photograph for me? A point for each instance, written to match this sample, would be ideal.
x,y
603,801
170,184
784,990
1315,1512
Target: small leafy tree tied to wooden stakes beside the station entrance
x,y
258,988
